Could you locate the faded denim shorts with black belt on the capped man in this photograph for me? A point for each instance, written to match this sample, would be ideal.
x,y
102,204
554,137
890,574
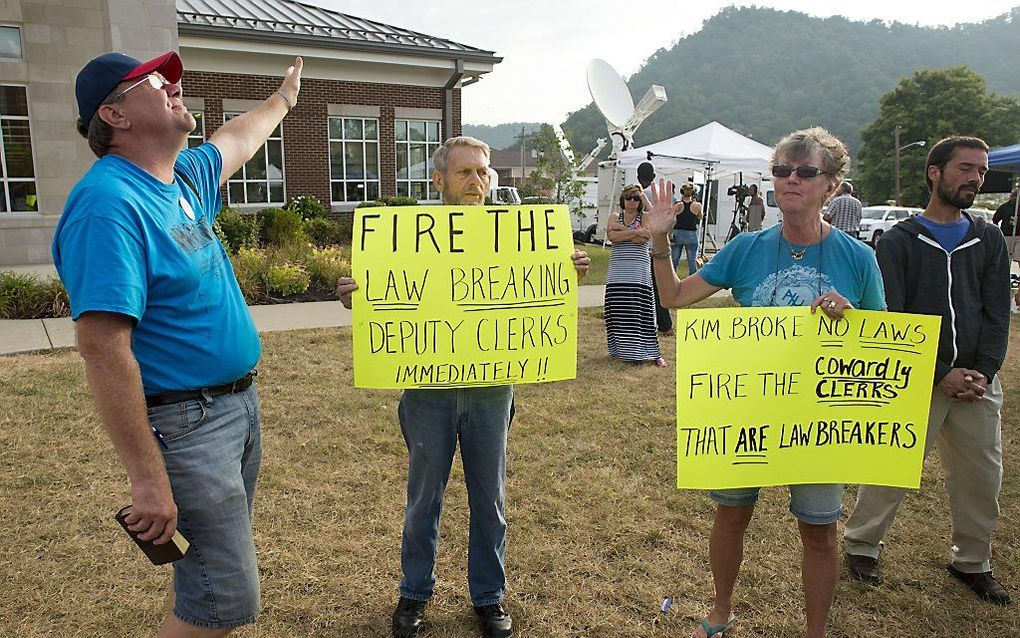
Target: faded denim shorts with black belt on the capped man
x,y
213,453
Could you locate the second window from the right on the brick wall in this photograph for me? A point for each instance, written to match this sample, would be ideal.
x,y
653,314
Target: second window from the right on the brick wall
x,y
354,160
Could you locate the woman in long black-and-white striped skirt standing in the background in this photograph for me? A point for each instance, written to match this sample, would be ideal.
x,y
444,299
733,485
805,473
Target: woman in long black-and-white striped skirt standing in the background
x,y
630,305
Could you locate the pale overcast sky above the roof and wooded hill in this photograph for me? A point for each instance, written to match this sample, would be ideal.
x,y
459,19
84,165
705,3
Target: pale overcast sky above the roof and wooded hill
x,y
546,44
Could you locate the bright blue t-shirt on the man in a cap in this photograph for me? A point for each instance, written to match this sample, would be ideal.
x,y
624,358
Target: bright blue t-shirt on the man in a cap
x,y
126,243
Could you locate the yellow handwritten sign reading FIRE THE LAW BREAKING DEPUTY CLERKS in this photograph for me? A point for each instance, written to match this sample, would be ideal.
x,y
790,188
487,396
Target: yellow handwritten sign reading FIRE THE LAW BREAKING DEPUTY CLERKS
x,y
457,297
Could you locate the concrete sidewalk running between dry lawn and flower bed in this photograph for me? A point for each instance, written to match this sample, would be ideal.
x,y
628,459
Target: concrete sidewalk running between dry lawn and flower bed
x,y
19,336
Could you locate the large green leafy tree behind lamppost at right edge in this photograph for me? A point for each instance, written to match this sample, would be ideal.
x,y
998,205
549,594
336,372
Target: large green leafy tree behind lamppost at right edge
x,y
930,106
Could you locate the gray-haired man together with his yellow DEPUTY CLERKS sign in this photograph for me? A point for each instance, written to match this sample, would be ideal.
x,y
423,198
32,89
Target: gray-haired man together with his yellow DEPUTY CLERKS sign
x,y
457,357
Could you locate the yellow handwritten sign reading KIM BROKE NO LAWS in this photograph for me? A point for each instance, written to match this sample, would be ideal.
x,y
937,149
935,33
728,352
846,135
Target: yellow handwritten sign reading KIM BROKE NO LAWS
x,y
781,397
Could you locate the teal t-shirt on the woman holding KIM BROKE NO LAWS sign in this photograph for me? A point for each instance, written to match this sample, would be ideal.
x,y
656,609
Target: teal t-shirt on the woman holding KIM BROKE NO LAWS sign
x,y
761,271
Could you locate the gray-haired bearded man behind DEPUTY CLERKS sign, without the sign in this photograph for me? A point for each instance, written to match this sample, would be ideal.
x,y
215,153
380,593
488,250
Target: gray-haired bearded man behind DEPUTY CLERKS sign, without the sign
x,y
433,423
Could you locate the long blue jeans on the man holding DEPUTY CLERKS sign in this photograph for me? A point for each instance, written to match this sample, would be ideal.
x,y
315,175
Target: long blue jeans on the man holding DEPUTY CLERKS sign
x,y
433,422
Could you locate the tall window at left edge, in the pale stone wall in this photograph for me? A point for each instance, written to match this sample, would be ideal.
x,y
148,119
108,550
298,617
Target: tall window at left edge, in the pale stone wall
x,y
18,175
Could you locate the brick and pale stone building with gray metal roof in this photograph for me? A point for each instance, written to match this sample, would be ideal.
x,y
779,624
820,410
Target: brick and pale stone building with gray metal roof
x,y
376,100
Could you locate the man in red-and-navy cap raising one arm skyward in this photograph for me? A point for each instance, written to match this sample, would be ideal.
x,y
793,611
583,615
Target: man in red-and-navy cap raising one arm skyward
x,y
169,345
